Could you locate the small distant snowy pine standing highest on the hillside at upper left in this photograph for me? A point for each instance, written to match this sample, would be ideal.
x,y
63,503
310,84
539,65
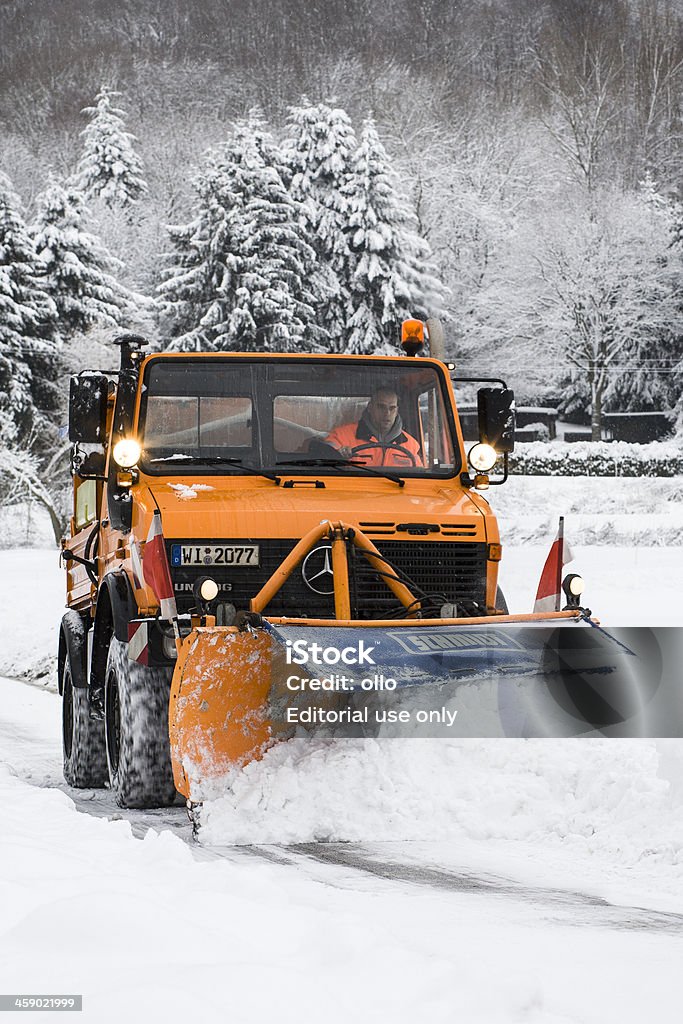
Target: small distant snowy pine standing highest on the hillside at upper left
x,y
110,168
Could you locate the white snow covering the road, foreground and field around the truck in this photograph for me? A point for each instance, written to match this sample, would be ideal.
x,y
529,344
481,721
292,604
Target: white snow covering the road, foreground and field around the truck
x,y
492,881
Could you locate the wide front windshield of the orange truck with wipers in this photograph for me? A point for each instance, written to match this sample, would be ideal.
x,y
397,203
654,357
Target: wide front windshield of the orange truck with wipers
x,y
294,416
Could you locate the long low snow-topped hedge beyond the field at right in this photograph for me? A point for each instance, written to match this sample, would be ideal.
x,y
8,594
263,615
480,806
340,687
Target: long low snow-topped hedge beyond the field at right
x,y
599,459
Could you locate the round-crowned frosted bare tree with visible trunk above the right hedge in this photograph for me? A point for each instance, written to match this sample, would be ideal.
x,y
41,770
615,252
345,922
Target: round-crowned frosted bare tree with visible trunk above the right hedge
x,y
590,289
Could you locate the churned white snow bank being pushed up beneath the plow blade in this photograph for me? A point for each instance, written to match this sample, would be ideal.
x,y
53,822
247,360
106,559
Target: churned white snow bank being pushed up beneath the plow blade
x,y
602,797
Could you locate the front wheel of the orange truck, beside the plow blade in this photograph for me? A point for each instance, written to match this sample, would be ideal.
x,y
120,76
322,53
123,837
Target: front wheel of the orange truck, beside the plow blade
x,y
137,728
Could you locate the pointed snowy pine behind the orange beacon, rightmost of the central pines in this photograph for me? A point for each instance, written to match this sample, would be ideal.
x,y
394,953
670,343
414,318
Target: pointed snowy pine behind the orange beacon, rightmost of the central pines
x,y
393,276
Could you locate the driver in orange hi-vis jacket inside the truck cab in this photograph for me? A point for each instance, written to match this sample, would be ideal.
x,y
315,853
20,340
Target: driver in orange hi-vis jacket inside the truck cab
x,y
378,439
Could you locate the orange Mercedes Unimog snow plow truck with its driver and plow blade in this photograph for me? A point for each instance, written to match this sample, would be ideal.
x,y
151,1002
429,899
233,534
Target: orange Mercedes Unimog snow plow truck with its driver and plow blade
x,y
237,517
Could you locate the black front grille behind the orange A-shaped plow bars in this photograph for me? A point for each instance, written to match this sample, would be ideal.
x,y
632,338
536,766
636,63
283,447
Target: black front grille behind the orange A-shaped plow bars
x,y
454,572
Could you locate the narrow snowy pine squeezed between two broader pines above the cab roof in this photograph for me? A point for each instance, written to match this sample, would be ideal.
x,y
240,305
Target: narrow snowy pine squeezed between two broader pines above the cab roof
x,y
319,151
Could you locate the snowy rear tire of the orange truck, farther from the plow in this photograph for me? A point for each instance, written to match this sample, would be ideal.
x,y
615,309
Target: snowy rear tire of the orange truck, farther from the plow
x,y
82,737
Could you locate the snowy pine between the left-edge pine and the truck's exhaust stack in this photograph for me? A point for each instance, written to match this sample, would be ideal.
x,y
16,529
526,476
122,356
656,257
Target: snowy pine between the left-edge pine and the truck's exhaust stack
x,y
78,270
